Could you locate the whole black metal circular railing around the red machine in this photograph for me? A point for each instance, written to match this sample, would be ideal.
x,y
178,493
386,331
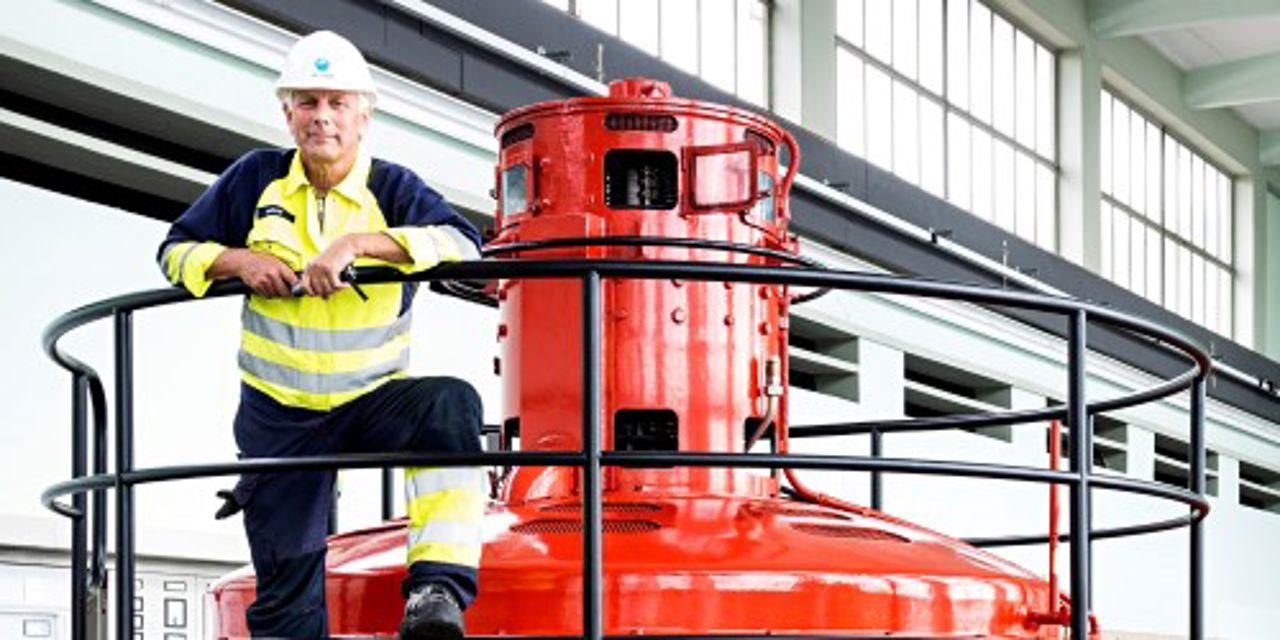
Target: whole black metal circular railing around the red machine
x,y
89,556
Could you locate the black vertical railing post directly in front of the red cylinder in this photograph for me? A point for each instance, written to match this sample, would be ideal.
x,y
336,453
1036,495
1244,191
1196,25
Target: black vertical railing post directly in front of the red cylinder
x,y
593,559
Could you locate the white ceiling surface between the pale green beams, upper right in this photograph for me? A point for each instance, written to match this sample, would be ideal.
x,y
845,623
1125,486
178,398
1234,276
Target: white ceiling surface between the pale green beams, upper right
x,y
1206,45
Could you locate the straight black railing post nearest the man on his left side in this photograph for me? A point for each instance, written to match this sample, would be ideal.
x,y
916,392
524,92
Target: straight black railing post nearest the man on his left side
x,y
124,465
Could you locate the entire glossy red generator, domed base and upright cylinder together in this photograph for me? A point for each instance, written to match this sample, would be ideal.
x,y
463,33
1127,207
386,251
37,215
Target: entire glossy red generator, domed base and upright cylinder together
x,y
687,367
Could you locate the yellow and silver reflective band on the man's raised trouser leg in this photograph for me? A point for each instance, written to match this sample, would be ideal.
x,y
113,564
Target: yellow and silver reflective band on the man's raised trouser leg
x,y
446,510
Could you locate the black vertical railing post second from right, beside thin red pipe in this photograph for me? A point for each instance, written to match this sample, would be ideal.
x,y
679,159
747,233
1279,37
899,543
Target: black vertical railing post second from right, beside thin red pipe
x,y
1082,459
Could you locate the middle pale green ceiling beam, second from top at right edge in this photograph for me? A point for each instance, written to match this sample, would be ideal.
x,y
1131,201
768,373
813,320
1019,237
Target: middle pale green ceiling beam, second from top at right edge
x,y
1240,83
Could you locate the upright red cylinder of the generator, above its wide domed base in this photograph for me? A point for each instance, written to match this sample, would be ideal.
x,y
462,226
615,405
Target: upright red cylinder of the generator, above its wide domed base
x,y
687,365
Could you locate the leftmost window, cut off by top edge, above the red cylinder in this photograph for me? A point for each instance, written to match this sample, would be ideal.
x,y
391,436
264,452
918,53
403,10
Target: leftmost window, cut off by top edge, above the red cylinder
x,y
723,42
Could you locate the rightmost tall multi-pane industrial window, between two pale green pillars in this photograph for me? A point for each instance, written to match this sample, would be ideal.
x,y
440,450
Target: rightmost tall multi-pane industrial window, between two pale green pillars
x,y
1167,218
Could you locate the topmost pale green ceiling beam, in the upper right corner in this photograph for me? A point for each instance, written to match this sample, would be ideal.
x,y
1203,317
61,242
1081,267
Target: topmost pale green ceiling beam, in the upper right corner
x,y
1117,19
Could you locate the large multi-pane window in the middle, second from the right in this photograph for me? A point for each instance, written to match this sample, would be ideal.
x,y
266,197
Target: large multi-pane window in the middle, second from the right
x,y
956,99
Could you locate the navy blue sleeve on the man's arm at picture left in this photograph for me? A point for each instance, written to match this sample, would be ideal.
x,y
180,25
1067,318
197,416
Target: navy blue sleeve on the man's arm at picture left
x,y
225,212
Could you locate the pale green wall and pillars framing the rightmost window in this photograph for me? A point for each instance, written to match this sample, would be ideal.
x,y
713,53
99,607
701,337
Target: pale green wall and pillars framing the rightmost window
x,y
1145,77
